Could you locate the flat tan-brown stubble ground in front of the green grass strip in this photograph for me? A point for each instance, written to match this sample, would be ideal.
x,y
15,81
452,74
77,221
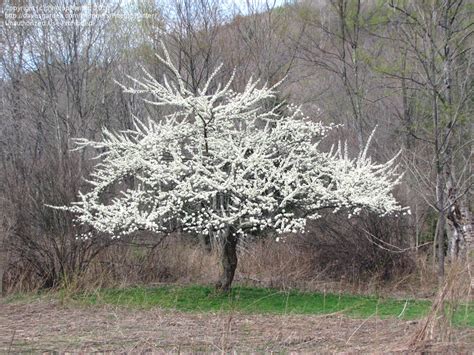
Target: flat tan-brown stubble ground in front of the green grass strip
x,y
43,326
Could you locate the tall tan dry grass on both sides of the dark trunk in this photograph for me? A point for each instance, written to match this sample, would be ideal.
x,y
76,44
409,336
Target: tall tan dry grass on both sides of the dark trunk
x,y
267,263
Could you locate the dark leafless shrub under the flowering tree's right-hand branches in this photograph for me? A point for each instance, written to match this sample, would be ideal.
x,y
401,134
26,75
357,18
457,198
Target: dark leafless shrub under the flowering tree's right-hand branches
x,y
361,246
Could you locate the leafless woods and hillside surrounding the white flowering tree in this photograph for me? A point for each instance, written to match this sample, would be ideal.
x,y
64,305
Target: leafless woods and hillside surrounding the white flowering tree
x,y
404,67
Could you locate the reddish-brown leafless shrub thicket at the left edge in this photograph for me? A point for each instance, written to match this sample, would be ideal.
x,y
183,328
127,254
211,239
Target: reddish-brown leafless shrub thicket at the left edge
x,y
42,243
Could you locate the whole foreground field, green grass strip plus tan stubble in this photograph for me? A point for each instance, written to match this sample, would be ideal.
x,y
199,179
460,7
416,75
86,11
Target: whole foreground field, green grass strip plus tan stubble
x,y
196,319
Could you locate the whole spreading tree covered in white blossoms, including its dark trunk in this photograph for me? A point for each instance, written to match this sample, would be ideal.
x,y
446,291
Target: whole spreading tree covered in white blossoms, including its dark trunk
x,y
225,164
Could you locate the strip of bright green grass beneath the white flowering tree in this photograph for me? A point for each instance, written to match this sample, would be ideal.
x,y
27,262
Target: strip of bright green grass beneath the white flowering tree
x,y
270,301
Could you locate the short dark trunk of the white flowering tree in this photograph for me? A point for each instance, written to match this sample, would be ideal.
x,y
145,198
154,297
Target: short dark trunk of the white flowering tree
x,y
229,261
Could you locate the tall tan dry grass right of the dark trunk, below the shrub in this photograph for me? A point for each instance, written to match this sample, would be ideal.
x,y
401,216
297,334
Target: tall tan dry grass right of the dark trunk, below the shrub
x,y
291,264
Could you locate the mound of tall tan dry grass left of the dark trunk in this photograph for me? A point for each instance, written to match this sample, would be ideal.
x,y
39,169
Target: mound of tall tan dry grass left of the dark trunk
x,y
152,259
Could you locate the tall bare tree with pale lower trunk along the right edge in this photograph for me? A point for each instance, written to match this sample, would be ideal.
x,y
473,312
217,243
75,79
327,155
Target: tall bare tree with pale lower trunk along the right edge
x,y
436,38
